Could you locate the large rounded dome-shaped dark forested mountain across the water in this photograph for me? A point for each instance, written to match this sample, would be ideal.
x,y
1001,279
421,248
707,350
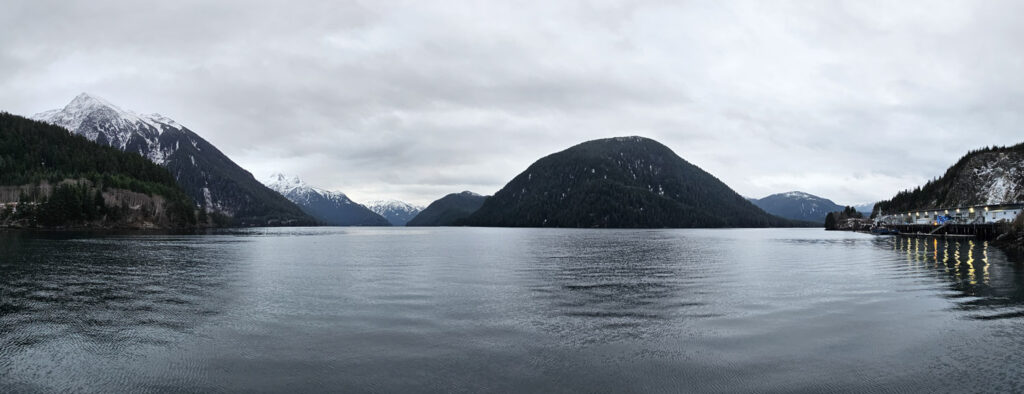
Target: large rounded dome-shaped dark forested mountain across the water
x,y
619,183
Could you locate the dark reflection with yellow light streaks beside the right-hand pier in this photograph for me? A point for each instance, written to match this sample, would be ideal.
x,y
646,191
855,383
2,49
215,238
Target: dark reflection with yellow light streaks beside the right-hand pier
x,y
992,291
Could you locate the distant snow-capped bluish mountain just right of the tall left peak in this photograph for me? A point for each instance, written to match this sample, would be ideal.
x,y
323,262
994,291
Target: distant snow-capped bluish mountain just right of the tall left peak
x,y
328,207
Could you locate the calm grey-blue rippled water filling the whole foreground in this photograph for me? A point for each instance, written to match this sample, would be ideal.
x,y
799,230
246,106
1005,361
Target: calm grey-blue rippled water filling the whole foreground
x,y
508,311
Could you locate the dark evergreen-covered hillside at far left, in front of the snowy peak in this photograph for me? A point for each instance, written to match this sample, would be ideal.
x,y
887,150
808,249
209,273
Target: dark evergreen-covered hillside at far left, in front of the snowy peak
x,y
50,178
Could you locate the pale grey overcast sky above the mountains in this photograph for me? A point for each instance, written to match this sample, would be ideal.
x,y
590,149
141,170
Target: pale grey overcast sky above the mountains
x,y
412,101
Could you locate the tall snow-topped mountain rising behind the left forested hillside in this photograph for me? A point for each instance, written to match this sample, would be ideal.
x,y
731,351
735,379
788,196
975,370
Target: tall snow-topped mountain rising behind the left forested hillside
x,y
209,178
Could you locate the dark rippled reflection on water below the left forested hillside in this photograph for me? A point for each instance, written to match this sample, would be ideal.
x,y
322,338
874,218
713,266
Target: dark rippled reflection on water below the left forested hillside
x,y
93,298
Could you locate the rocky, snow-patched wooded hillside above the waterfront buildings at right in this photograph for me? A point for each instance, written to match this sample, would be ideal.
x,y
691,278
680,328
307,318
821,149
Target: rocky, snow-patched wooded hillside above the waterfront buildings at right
x,y
989,177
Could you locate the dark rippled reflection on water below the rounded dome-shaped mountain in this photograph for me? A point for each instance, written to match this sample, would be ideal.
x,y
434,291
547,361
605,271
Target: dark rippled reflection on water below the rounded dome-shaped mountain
x,y
596,290
